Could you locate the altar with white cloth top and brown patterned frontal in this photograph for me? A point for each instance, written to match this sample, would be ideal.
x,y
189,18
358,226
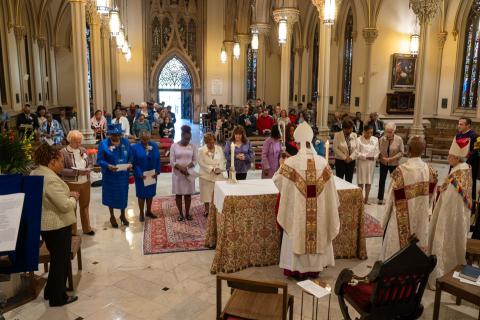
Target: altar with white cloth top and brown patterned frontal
x,y
242,225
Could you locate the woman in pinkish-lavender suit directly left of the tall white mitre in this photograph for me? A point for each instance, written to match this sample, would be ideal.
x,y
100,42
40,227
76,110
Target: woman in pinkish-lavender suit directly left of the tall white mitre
x,y
271,152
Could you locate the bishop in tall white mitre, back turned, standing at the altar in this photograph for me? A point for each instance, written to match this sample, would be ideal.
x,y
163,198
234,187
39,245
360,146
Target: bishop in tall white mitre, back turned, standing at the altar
x,y
308,209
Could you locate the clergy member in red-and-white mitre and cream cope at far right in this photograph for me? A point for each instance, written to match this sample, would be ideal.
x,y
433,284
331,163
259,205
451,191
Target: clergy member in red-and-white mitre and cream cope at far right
x,y
450,223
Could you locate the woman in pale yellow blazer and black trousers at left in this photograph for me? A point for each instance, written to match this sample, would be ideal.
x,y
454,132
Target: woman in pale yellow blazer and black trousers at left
x,y
58,215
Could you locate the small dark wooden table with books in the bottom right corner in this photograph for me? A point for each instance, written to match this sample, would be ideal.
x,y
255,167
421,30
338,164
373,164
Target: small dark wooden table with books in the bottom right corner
x,y
462,291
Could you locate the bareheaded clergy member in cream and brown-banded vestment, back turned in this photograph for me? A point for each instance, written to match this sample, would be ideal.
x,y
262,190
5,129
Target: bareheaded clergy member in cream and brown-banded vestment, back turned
x,y
409,201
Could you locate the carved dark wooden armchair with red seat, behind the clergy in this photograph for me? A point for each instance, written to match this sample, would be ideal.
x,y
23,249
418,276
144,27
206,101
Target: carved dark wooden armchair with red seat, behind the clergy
x,y
392,290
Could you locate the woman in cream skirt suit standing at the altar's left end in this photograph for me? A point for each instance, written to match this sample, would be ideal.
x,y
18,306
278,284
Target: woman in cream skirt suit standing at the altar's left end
x,y
212,165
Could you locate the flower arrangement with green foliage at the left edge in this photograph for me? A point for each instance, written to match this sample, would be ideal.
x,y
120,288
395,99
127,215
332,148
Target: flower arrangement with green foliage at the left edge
x,y
15,152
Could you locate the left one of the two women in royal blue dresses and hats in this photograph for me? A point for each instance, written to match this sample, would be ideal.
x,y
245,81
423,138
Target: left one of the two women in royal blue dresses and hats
x,y
112,151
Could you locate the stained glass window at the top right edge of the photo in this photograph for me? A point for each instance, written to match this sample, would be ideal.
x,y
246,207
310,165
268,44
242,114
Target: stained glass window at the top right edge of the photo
x,y
471,67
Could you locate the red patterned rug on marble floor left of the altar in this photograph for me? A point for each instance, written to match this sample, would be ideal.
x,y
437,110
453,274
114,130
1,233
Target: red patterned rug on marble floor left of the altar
x,y
166,234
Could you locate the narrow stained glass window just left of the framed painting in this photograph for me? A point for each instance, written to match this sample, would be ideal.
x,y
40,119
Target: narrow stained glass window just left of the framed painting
x,y
347,59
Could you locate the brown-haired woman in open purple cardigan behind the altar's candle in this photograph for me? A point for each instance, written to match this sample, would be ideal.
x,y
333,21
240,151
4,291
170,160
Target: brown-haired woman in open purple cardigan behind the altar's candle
x,y
243,153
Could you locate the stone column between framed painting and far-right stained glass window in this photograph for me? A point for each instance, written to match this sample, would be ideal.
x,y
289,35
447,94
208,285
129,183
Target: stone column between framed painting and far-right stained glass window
x,y
425,11
